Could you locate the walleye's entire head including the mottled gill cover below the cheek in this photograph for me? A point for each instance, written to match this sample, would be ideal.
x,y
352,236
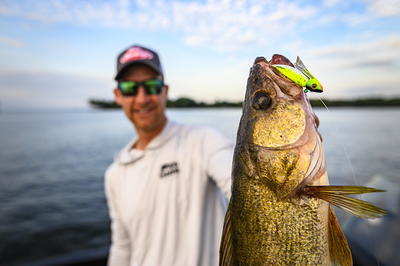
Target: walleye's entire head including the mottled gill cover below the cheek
x,y
277,119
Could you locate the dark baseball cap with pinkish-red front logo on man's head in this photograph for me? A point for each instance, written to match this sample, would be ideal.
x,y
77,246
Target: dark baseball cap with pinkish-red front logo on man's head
x,y
137,54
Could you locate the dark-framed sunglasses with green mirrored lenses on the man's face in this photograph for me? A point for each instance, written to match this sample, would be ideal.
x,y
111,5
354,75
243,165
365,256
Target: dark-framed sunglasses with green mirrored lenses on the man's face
x,y
130,88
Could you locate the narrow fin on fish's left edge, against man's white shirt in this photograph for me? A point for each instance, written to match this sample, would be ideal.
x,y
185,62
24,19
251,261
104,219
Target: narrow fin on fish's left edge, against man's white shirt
x,y
226,250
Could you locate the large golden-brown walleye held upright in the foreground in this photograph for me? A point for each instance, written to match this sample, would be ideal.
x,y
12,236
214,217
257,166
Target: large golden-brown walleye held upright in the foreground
x,y
280,212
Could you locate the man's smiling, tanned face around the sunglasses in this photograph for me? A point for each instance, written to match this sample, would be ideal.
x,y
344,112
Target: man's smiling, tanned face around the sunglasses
x,y
146,112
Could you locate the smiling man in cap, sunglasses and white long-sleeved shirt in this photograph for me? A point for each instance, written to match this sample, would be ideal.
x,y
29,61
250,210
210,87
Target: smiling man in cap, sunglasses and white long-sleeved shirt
x,y
164,188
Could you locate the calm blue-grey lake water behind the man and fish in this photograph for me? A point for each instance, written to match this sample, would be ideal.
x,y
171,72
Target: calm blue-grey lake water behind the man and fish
x,y
52,164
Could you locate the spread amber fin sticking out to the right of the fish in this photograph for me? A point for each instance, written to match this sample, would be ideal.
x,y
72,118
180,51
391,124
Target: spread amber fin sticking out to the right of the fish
x,y
337,196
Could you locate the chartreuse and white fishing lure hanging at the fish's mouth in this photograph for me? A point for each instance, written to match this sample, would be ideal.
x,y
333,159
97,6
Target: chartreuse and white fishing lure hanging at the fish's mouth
x,y
300,75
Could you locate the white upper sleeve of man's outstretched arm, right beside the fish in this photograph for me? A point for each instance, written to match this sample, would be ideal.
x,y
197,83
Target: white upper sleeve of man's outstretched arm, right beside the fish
x,y
218,152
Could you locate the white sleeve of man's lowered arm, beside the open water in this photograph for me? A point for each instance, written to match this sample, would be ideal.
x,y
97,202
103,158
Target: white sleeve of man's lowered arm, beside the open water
x,y
120,244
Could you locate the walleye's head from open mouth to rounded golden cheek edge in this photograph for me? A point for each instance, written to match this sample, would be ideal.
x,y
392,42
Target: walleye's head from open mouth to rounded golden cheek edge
x,y
275,108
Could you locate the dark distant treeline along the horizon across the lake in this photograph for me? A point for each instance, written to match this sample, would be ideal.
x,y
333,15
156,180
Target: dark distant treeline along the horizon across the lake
x,y
190,103
